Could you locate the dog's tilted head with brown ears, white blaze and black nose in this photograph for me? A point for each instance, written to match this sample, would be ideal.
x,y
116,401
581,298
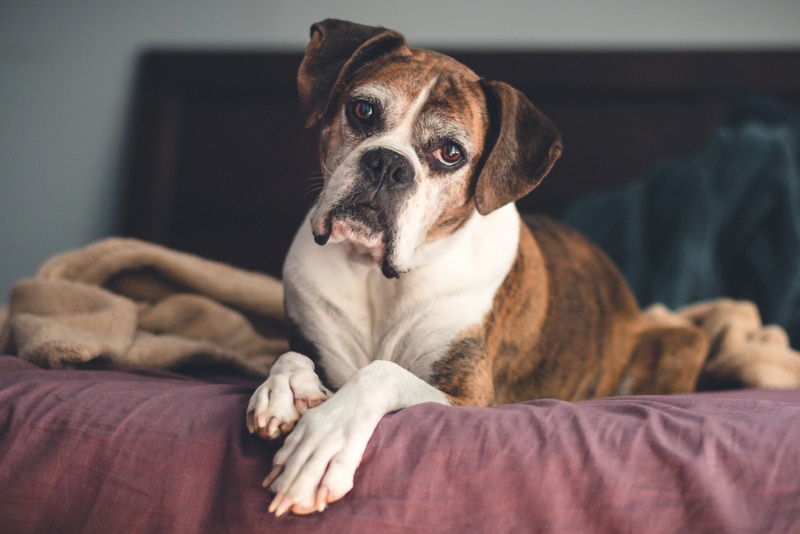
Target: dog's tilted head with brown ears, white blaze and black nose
x,y
412,143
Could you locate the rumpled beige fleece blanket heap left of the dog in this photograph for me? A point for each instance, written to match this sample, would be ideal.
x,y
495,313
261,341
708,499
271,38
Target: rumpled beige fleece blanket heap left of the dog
x,y
129,303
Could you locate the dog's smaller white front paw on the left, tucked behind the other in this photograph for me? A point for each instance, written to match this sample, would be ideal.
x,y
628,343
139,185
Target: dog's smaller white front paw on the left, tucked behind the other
x,y
291,388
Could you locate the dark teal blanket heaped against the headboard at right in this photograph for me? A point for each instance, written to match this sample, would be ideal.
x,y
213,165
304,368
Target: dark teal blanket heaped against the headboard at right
x,y
724,222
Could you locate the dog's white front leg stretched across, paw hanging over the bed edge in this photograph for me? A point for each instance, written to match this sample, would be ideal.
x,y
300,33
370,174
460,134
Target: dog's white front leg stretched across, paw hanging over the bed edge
x,y
318,461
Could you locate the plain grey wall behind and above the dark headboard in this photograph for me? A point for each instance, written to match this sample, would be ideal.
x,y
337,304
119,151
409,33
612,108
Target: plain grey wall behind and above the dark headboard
x,y
66,69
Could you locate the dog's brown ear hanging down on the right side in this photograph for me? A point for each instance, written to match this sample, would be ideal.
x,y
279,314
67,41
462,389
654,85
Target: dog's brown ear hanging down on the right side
x,y
525,146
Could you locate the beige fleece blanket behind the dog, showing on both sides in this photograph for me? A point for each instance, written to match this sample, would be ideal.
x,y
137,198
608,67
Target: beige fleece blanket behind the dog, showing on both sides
x,y
124,302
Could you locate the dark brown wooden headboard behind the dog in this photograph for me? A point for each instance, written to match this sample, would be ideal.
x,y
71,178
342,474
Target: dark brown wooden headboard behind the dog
x,y
219,163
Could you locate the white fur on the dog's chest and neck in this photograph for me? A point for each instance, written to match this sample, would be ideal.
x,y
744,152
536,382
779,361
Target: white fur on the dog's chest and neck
x,y
354,315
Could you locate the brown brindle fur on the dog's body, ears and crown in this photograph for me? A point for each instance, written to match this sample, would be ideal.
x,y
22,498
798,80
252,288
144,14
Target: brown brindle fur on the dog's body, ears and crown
x,y
564,323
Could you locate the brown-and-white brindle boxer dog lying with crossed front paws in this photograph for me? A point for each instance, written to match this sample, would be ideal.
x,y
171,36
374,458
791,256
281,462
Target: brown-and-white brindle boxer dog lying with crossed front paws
x,y
414,279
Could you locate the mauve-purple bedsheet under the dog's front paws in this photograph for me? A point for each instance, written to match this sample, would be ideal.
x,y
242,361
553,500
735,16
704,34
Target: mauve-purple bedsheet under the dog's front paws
x,y
113,451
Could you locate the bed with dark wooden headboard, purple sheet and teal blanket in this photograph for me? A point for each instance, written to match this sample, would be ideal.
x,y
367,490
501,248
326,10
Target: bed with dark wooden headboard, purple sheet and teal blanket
x,y
219,166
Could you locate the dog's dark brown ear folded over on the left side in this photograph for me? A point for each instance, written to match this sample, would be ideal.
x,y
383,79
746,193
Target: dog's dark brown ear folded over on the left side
x,y
336,50
